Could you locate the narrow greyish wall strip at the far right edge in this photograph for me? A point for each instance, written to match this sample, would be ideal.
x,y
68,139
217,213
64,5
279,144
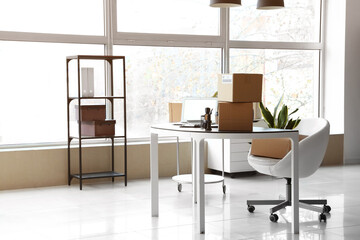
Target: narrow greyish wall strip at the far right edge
x,y
352,83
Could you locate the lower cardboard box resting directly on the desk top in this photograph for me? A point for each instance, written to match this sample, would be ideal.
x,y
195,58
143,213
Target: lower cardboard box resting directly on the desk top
x,y
235,116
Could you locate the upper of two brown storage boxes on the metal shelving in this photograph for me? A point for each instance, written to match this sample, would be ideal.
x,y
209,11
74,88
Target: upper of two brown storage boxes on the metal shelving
x,y
91,112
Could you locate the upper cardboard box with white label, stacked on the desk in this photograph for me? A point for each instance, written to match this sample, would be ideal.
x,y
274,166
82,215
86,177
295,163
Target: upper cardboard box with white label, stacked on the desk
x,y
240,87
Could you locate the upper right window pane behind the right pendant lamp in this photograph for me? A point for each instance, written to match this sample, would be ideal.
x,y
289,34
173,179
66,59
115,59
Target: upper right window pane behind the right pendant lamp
x,y
299,21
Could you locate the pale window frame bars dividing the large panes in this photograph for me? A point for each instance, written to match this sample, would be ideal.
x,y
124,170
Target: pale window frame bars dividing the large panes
x,y
113,37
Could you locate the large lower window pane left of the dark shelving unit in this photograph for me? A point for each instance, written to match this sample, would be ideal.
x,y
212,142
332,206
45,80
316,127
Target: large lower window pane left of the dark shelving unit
x,y
33,90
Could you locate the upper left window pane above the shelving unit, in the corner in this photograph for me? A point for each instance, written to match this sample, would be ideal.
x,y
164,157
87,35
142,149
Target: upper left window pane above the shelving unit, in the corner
x,y
84,17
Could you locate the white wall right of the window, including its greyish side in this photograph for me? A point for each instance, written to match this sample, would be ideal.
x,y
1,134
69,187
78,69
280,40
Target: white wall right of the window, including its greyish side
x,y
342,73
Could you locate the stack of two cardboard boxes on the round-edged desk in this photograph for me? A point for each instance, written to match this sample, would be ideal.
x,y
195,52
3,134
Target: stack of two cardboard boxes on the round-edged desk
x,y
236,94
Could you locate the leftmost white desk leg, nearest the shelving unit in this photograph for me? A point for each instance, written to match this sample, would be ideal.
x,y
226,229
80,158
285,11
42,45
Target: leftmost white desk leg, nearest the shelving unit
x,y
154,174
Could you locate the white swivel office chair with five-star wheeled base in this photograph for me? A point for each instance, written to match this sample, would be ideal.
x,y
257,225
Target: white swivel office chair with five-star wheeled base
x,y
311,153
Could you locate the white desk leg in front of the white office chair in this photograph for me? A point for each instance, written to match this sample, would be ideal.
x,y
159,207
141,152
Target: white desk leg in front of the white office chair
x,y
295,184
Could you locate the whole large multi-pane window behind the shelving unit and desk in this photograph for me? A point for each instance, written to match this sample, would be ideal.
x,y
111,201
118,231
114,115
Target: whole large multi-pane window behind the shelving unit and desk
x,y
173,49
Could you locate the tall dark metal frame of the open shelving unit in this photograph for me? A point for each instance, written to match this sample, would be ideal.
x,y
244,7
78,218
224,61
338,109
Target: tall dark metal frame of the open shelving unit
x,y
110,97
